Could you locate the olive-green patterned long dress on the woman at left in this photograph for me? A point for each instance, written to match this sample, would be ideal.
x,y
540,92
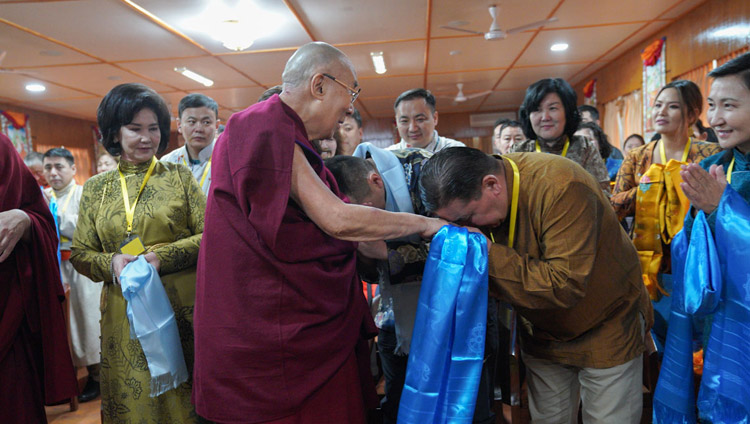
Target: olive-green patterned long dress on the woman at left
x,y
169,220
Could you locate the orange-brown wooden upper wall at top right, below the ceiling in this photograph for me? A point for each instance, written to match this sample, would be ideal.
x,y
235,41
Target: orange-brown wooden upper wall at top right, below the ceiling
x,y
688,46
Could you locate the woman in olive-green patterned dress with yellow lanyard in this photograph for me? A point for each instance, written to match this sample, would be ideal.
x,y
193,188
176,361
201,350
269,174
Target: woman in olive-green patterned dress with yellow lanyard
x,y
144,207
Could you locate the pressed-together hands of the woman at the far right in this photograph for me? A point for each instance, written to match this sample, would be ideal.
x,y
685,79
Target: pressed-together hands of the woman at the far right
x,y
703,189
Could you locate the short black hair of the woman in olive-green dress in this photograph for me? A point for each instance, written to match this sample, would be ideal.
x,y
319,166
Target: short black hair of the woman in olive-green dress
x,y
119,107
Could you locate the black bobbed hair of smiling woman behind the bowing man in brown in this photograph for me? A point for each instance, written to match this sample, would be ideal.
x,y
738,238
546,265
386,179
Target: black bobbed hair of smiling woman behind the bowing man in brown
x,y
534,96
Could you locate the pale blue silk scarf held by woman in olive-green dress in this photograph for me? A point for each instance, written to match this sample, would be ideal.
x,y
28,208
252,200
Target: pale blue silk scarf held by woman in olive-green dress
x,y
152,321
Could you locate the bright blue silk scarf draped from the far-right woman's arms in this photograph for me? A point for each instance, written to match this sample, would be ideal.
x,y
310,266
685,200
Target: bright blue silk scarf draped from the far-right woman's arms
x,y
711,276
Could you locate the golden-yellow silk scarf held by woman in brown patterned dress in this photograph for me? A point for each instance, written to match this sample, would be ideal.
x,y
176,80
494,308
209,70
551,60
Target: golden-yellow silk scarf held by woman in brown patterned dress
x,y
660,208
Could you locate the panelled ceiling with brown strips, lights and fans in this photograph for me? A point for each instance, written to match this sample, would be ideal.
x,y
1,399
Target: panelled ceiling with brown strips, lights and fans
x,y
80,49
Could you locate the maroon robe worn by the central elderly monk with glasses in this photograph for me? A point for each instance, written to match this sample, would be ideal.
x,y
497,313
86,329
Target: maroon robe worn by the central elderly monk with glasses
x,y
278,306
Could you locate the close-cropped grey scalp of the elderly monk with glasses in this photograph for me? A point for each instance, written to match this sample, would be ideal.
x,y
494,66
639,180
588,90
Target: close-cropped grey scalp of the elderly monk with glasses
x,y
310,59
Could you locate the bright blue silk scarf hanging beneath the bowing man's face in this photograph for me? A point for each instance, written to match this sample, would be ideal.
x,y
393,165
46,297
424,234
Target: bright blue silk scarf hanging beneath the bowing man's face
x,y
447,350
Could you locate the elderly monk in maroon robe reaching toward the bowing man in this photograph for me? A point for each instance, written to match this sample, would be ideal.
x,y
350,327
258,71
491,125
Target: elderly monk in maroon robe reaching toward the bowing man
x,y
279,315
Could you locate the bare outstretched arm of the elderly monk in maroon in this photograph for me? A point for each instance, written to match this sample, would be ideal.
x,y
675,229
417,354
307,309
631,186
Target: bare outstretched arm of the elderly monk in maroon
x,y
351,222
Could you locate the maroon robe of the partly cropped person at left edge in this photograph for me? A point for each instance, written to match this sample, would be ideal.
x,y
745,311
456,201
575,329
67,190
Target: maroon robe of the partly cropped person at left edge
x,y
35,363
